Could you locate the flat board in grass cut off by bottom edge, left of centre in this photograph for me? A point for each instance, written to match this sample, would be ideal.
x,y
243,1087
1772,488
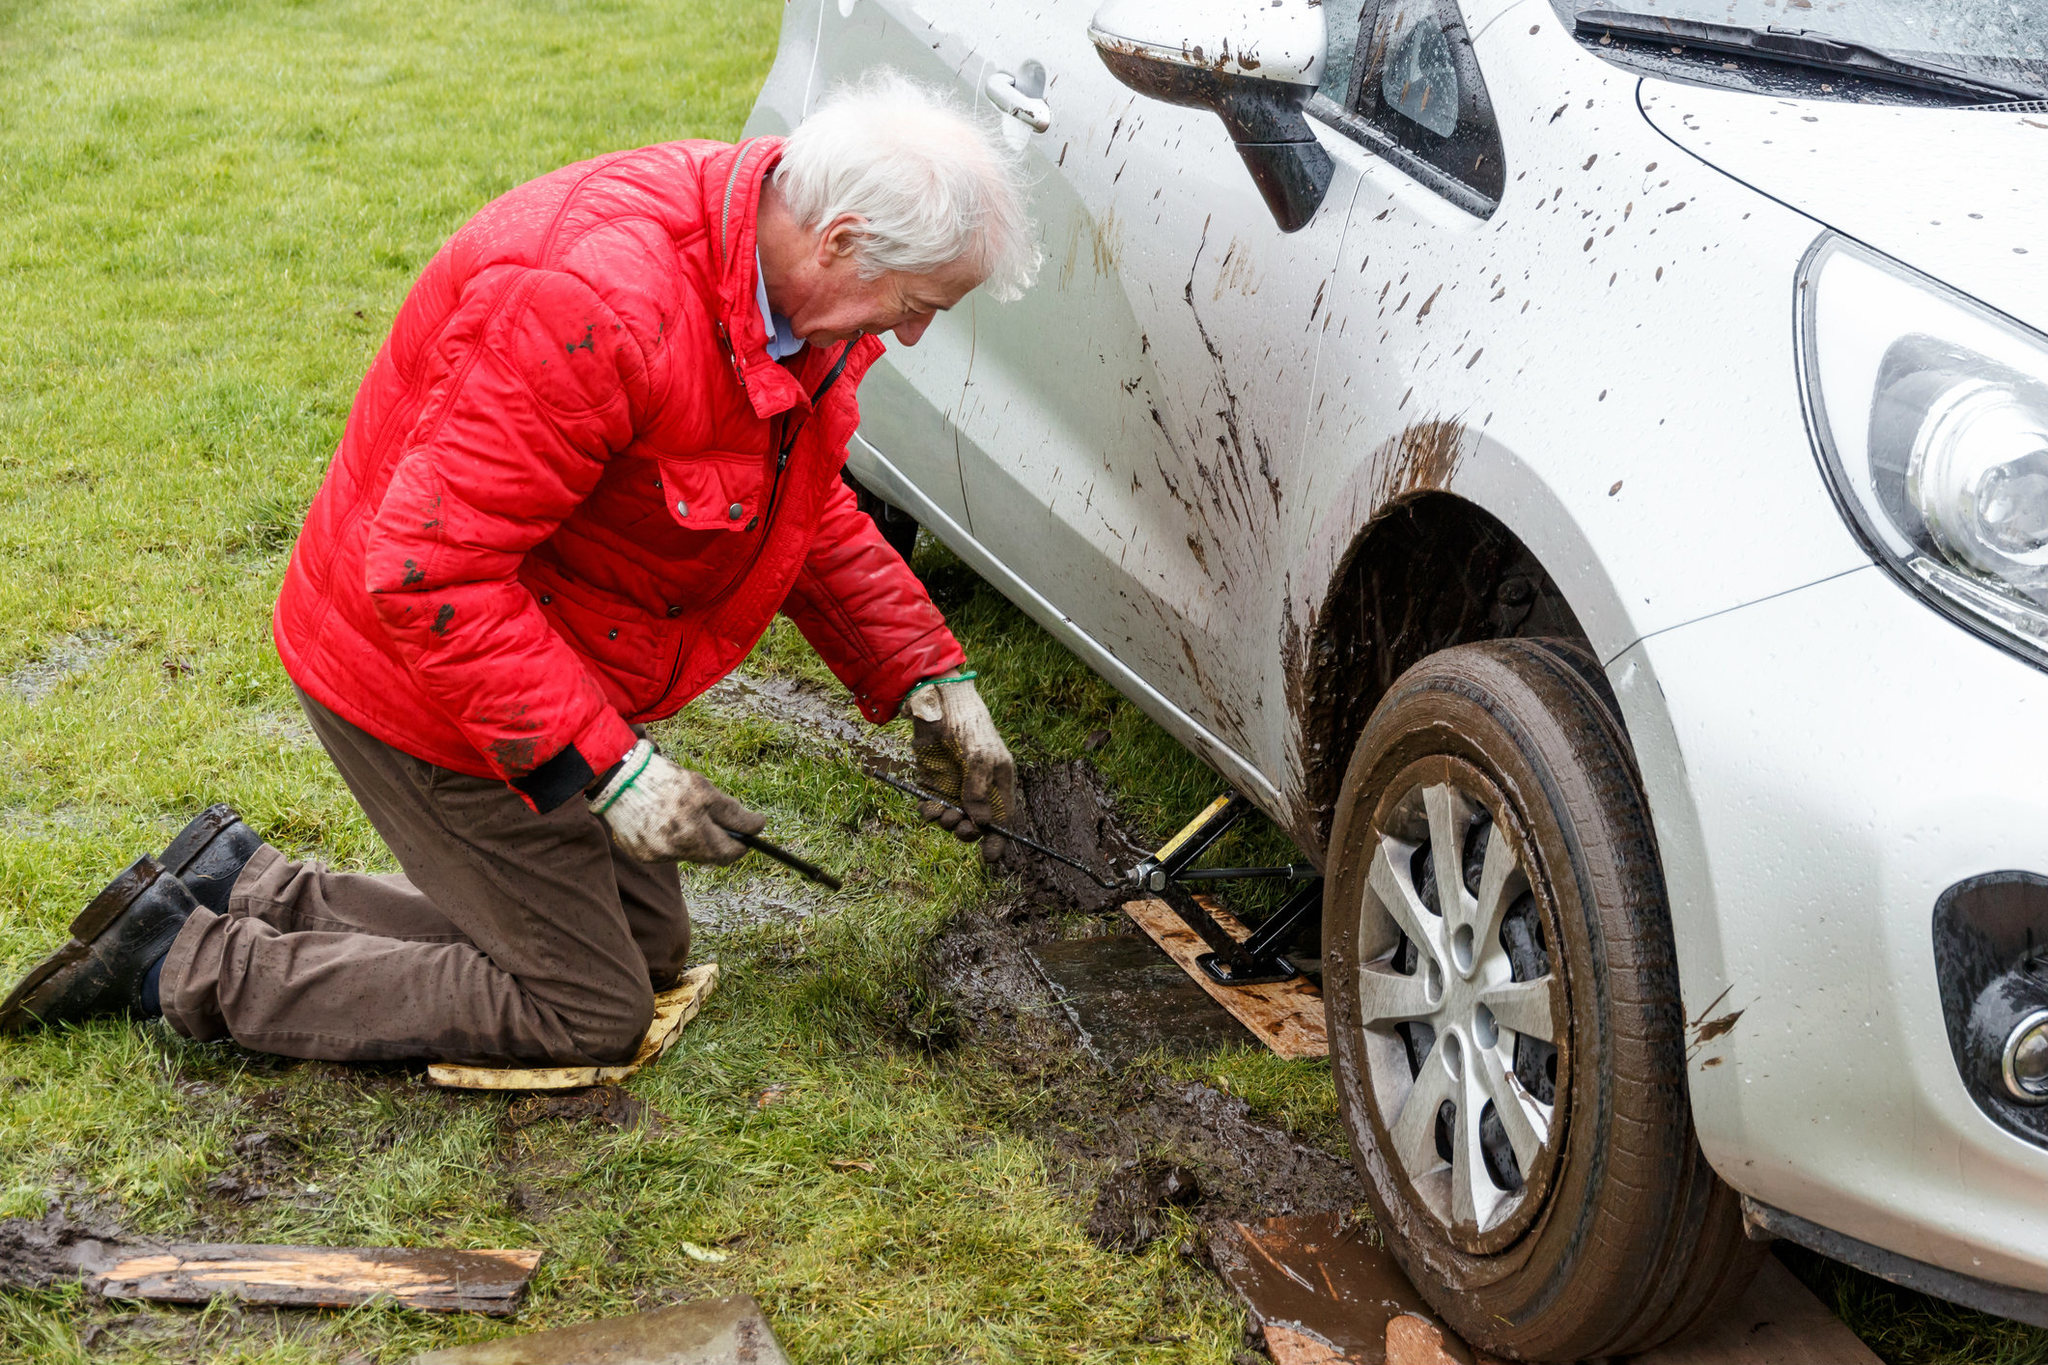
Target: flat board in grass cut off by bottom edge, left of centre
x,y
703,1333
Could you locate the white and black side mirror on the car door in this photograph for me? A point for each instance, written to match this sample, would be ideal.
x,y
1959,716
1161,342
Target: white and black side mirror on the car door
x,y
1254,62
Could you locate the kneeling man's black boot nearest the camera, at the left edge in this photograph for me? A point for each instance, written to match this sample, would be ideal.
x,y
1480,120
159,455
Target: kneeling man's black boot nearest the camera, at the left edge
x,y
105,967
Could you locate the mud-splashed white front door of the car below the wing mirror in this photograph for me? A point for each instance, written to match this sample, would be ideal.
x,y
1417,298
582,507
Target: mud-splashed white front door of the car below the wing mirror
x,y
1129,425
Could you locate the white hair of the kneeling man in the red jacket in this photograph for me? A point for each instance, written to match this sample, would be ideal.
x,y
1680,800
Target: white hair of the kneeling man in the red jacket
x,y
929,183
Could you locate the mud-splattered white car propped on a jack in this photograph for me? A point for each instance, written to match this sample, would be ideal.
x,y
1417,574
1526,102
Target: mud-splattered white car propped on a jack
x,y
1596,461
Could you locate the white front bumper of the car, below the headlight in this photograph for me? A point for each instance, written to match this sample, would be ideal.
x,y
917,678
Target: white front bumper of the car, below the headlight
x,y
1822,766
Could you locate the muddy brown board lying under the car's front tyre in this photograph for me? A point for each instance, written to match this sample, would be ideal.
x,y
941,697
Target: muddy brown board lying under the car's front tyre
x,y
1324,1294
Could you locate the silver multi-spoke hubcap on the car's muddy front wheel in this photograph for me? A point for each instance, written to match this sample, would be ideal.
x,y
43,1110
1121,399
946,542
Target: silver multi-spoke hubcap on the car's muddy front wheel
x,y
1461,1006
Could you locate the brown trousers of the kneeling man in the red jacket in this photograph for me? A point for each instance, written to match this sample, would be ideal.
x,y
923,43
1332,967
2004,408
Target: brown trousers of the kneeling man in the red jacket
x,y
511,936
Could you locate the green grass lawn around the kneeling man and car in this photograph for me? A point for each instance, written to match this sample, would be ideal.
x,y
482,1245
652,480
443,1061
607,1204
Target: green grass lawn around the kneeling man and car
x,y
208,216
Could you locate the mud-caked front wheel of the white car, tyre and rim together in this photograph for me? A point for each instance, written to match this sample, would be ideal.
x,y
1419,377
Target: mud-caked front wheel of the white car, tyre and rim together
x,y
1582,1221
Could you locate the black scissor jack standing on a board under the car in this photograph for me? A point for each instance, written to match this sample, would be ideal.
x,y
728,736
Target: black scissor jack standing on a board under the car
x,y
1232,961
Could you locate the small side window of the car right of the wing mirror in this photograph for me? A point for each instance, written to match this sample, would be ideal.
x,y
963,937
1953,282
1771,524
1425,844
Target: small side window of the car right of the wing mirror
x,y
1402,79
